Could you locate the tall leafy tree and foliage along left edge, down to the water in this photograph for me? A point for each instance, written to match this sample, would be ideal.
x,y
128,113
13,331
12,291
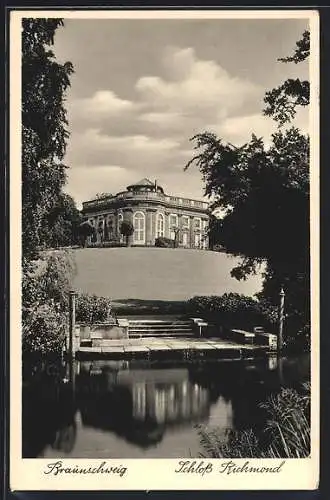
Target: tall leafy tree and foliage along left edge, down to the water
x,y
45,282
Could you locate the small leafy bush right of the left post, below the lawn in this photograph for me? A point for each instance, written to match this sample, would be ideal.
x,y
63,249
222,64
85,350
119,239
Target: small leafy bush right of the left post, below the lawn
x,y
93,309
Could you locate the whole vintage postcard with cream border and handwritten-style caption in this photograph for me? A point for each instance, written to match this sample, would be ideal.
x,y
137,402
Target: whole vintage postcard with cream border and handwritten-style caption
x,y
164,243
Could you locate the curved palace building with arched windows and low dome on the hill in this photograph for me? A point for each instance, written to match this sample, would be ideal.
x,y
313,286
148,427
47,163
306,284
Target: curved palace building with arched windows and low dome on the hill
x,y
153,213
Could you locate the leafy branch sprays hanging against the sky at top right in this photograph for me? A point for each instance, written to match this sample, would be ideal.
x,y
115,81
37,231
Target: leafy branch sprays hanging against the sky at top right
x,y
281,102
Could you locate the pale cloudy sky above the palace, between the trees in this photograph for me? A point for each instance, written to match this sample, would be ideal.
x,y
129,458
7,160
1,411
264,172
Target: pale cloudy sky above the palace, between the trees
x,y
142,88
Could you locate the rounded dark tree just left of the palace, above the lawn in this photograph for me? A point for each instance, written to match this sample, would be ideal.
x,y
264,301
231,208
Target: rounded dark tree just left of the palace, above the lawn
x,y
60,227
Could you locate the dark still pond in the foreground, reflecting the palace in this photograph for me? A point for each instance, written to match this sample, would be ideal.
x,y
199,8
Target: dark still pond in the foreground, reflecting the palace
x,y
134,409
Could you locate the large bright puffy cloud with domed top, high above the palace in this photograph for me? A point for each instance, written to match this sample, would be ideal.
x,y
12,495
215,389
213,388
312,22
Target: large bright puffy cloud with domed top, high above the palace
x,y
194,87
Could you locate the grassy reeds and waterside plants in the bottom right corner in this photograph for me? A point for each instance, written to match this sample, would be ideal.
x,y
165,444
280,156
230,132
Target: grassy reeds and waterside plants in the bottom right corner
x,y
286,434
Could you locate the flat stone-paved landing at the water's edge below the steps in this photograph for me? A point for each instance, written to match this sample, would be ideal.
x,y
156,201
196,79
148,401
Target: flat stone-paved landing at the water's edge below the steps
x,y
169,348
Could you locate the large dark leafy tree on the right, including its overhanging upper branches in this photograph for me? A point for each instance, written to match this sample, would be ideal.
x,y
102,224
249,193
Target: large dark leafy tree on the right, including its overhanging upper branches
x,y
264,196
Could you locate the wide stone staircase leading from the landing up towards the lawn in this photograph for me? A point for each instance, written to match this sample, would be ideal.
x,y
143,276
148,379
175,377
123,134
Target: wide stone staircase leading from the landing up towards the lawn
x,y
145,328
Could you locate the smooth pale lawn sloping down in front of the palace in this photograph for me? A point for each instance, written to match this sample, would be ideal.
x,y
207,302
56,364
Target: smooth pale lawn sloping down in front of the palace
x,y
157,274
